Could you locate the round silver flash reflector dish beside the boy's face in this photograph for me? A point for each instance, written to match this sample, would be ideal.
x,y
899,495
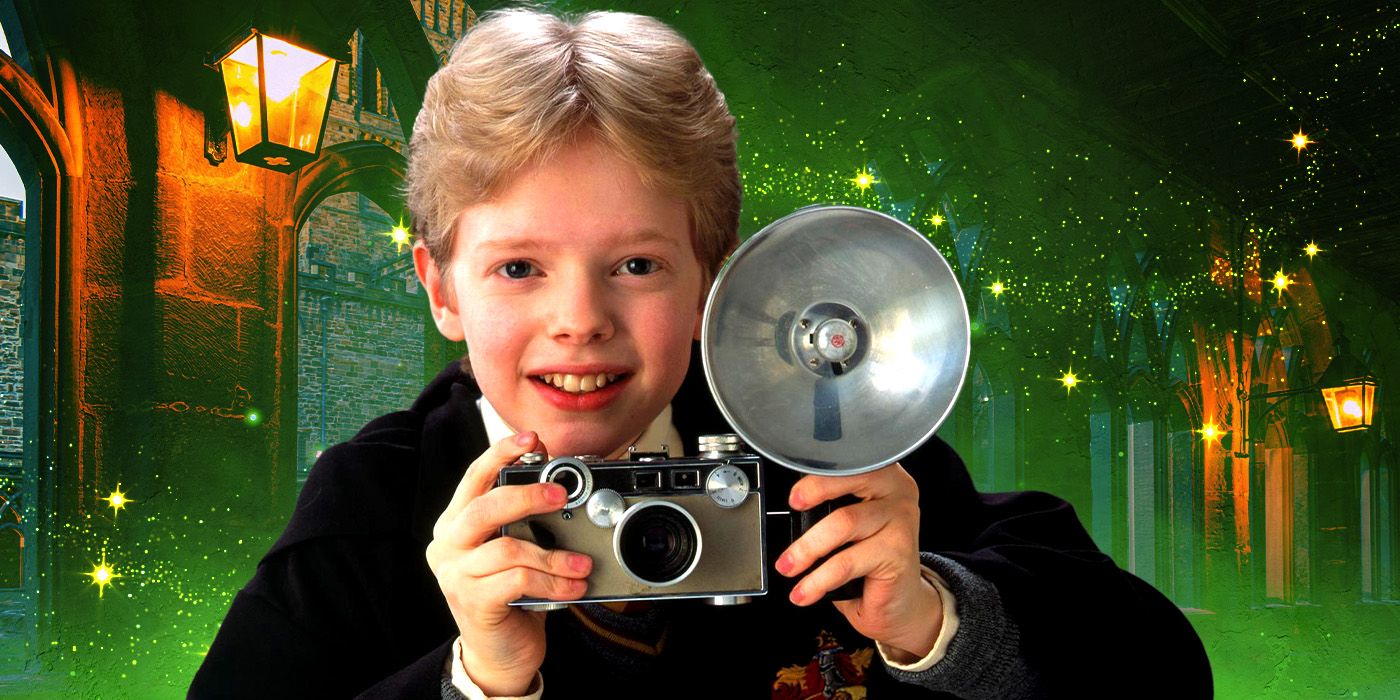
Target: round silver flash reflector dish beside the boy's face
x,y
836,341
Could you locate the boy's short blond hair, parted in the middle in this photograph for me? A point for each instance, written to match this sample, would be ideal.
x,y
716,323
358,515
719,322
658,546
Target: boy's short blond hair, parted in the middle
x,y
523,83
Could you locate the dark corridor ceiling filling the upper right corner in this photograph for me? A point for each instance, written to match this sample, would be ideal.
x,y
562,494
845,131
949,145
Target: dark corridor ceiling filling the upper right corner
x,y
1213,92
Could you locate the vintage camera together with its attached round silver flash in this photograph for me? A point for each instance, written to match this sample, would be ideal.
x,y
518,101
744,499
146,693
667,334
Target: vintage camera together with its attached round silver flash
x,y
835,342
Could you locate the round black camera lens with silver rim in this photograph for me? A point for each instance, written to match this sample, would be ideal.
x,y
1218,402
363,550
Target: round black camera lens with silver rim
x,y
657,542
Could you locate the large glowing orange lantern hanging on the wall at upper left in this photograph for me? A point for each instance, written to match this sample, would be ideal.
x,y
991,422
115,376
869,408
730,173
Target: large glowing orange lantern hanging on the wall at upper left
x,y
279,96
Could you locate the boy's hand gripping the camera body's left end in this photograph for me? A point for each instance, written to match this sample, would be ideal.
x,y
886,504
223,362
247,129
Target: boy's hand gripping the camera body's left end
x,y
481,573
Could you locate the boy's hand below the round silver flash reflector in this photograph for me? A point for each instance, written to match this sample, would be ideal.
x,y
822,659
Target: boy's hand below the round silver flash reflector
x,y
898,608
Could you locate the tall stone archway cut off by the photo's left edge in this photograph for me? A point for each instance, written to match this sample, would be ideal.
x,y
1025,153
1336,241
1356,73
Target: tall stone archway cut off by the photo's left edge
x,y
38,373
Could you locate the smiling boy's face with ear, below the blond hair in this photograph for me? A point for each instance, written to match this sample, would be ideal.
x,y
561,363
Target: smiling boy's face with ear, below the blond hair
x,y
575,272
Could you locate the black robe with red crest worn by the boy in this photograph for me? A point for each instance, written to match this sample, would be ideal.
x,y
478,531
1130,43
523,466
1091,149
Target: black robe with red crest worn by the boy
x,y
345,605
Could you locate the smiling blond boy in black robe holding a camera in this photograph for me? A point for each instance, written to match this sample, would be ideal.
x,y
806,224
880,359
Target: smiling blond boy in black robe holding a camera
x,y
575,188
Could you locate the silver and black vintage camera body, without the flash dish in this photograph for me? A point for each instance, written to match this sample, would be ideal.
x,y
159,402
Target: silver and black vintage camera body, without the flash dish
x,y
656,527
